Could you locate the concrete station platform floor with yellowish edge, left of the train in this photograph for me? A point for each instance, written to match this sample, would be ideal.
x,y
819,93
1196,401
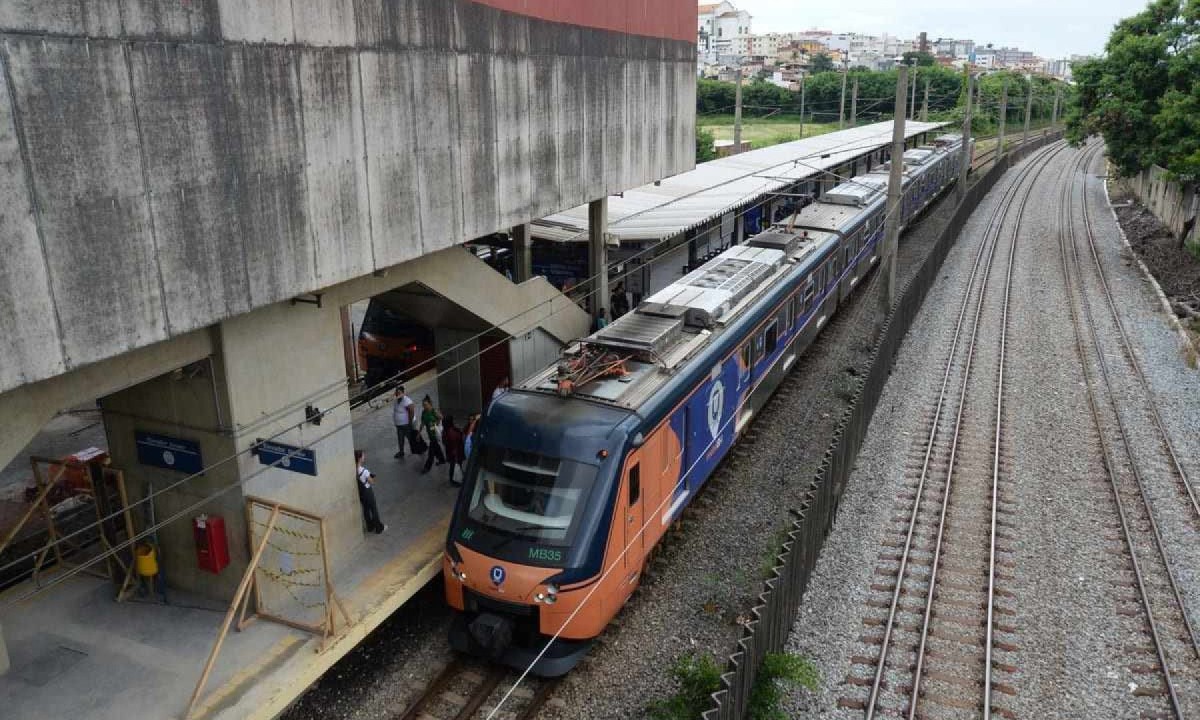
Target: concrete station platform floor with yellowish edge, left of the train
x,y
77,653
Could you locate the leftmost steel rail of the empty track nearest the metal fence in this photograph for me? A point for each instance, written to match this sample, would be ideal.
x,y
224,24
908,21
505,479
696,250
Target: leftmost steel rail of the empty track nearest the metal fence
x,y
933,436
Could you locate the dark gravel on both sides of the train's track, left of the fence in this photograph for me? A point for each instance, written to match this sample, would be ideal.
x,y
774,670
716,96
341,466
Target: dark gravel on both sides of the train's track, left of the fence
x,y
707,575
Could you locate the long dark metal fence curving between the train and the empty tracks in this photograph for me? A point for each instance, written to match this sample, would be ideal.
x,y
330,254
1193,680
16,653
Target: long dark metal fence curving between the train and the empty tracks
x,y
772,619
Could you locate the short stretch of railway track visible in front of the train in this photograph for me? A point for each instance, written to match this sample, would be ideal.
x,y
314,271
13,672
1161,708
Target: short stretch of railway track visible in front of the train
x,y
470,691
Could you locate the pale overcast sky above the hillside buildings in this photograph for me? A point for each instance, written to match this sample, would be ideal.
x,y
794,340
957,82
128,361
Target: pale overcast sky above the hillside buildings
x,y
1049,28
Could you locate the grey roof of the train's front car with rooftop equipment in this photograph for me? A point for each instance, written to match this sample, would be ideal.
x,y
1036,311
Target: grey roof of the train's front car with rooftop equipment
x,y
670,328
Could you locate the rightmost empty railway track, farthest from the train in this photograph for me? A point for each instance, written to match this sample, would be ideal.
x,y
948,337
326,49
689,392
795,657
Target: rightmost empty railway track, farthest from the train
x,y
1131,467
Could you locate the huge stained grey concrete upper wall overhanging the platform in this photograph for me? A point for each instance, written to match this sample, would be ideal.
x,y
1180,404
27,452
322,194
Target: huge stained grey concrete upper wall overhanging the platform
x,y
166,166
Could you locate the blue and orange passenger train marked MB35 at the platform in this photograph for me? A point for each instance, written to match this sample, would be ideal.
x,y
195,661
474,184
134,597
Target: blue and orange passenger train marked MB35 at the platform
x,y
577,475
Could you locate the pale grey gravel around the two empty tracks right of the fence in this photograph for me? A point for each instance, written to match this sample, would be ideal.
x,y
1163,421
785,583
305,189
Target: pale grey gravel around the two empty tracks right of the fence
x,y
1081,631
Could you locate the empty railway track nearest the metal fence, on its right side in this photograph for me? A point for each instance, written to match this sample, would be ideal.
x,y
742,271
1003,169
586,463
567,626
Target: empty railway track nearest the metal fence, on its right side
x,y
941,603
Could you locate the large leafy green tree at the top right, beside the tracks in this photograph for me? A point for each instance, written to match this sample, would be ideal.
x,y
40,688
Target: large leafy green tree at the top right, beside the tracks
x,y
1144,95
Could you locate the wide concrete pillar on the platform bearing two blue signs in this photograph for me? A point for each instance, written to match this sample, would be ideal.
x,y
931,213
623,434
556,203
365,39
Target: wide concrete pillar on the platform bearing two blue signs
x,y
268,367
